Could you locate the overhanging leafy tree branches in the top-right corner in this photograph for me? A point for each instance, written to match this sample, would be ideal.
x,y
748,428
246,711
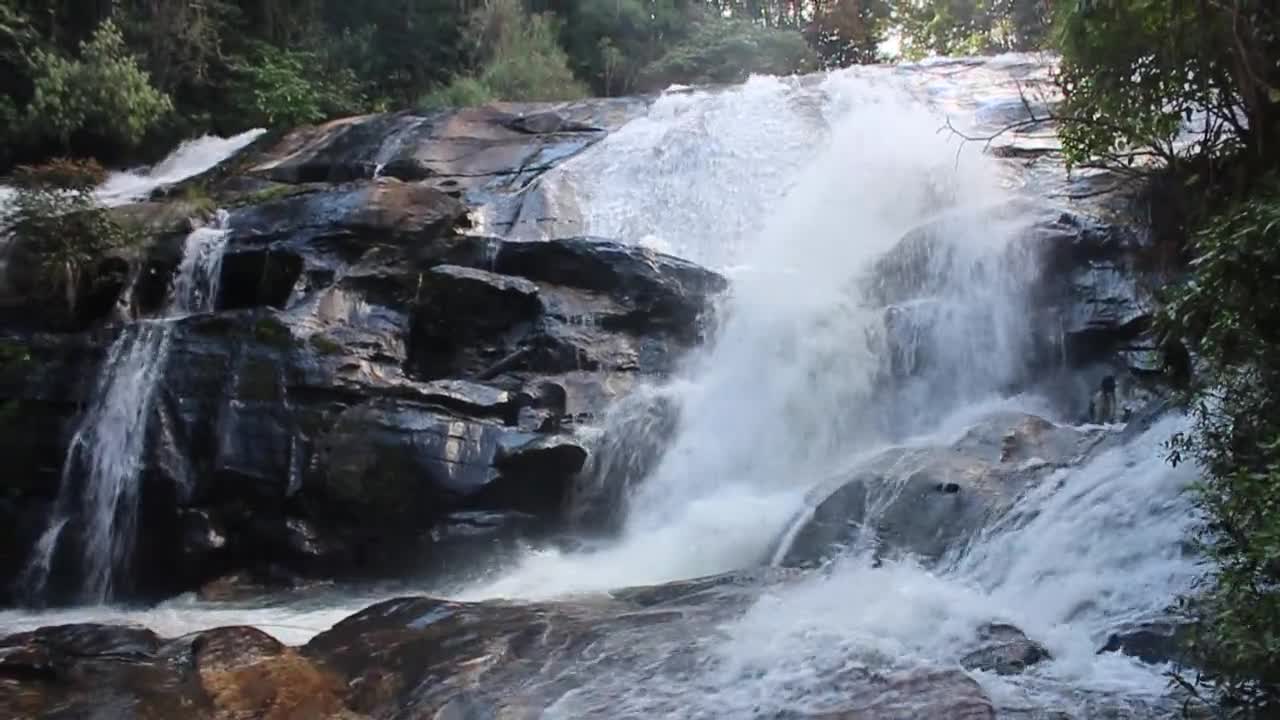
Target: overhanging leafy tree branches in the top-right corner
x,y
1136,74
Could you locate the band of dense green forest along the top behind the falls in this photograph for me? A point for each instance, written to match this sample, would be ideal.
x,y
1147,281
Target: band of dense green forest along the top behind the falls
x,y
125,80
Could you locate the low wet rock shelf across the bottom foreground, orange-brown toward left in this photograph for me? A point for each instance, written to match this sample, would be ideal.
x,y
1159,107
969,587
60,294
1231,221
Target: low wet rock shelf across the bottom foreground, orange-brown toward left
x,y
426,658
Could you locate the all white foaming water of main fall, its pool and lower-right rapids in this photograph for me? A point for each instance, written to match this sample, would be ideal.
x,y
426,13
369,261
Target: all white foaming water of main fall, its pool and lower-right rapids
x,y
797,189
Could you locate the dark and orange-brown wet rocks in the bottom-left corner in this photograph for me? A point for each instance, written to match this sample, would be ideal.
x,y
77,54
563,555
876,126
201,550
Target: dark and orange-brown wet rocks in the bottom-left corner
x,y
100,672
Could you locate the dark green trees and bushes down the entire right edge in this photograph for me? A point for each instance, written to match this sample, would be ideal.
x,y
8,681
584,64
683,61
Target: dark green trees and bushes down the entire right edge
x,y
1188,95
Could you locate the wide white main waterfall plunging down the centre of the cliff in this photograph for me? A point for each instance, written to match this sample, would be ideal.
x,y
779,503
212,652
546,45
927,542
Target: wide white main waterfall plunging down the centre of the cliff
x,y
802,208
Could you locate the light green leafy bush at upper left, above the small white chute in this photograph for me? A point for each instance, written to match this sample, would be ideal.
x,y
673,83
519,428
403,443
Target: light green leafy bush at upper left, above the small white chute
x,y
103,93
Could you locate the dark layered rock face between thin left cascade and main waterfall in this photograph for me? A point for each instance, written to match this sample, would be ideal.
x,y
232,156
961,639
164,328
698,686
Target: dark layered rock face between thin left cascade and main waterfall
x,y
377,379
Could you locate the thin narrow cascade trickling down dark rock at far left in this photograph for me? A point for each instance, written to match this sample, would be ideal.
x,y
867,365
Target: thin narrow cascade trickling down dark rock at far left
x,y
102,473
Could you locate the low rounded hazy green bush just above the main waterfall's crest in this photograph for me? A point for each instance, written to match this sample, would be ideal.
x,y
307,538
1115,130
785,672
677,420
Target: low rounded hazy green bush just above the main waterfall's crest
x,y
721,52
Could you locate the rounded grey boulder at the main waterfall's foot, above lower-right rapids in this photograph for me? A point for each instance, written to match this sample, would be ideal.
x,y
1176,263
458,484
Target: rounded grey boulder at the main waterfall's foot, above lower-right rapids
x,y
929,502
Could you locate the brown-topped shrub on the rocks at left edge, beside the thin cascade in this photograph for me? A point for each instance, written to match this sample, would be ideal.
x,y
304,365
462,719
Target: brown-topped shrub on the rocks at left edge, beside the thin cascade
x,y
60,233
